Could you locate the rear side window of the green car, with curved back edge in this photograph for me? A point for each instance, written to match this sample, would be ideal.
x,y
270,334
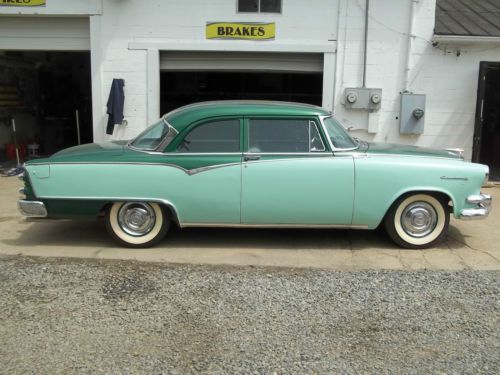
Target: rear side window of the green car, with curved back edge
x,y
213,136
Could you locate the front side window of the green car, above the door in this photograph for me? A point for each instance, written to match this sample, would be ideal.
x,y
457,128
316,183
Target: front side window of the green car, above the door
x,y
284,135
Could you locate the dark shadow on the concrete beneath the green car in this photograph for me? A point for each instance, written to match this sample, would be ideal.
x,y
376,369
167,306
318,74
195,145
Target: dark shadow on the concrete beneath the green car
x,y
93,234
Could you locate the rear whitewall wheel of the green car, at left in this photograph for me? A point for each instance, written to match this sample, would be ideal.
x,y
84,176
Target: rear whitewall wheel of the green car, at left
x,y
137,224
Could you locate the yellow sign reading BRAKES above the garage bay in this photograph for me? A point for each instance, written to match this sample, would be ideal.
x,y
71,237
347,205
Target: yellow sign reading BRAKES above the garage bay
x,y
244,30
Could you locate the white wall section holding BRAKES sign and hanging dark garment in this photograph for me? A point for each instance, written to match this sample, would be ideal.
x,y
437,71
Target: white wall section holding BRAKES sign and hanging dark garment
x,y
123,22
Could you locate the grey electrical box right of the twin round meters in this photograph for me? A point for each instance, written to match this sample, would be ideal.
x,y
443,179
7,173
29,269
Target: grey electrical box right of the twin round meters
x,y
412,116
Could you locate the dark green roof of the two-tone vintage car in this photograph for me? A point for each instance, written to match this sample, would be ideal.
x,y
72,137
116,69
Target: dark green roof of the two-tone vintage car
x,y
182,117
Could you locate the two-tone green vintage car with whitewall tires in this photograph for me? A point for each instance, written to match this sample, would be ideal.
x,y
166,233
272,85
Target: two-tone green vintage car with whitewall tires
x,y
255,164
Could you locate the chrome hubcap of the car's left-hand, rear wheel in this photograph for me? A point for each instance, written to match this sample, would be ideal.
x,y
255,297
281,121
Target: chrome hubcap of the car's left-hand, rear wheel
x,y
136,218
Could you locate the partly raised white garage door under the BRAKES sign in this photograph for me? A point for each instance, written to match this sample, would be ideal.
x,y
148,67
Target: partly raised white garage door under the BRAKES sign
x,y
241,61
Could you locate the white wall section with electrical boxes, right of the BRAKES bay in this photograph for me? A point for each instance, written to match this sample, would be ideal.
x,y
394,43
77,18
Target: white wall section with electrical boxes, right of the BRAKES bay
x,y
449,81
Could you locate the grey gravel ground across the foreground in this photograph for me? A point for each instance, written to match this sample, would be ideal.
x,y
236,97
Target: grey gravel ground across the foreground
x,y
82,316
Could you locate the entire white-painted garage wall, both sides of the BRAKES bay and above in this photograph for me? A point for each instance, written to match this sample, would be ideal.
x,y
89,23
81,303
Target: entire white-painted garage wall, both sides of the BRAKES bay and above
x,y
449,79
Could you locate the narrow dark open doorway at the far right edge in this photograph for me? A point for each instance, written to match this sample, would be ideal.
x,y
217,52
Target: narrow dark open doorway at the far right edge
x,y
486,148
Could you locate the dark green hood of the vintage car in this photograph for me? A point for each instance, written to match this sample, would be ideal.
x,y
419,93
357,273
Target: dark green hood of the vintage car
x,y
406,150
